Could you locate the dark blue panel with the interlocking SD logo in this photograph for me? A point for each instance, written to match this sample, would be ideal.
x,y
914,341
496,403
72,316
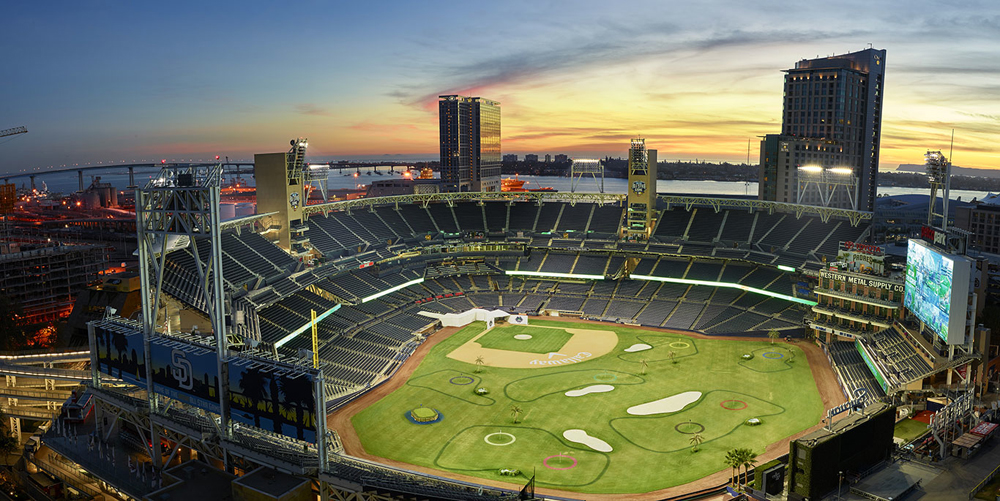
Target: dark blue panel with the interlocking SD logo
x,y
186,372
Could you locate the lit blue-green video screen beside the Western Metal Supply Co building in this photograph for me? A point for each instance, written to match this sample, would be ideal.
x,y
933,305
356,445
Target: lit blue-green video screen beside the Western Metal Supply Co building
x,y
937,286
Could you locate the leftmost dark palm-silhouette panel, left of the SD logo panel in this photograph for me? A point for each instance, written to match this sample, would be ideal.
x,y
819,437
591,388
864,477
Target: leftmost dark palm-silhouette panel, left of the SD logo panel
x,y
120,354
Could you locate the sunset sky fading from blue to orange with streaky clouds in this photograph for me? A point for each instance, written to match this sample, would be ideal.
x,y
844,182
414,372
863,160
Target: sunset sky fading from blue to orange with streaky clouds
x,y
109,81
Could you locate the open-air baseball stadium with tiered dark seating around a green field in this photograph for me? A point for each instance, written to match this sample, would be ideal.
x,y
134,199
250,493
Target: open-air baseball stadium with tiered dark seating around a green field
x,y
474,345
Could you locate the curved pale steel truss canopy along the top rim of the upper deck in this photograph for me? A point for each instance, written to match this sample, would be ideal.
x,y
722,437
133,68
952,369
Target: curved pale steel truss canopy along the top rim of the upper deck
x,y
423,200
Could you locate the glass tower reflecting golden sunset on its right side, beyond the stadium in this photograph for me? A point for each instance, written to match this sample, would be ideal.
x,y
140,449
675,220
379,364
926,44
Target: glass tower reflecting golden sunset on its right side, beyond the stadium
x,y
470,143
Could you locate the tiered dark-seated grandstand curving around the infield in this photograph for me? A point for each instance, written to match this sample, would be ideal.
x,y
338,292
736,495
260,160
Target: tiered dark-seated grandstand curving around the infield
x,y
704,269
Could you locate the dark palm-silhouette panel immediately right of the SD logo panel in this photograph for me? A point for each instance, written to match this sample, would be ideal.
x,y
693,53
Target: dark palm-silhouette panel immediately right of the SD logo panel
x,y
272,396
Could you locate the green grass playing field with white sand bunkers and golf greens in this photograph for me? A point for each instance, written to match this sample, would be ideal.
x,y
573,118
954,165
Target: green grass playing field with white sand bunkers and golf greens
x,y
477,435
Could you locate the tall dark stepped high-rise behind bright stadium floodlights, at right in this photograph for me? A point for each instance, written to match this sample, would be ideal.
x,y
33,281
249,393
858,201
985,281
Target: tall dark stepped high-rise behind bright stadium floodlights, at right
x,y
831,126
